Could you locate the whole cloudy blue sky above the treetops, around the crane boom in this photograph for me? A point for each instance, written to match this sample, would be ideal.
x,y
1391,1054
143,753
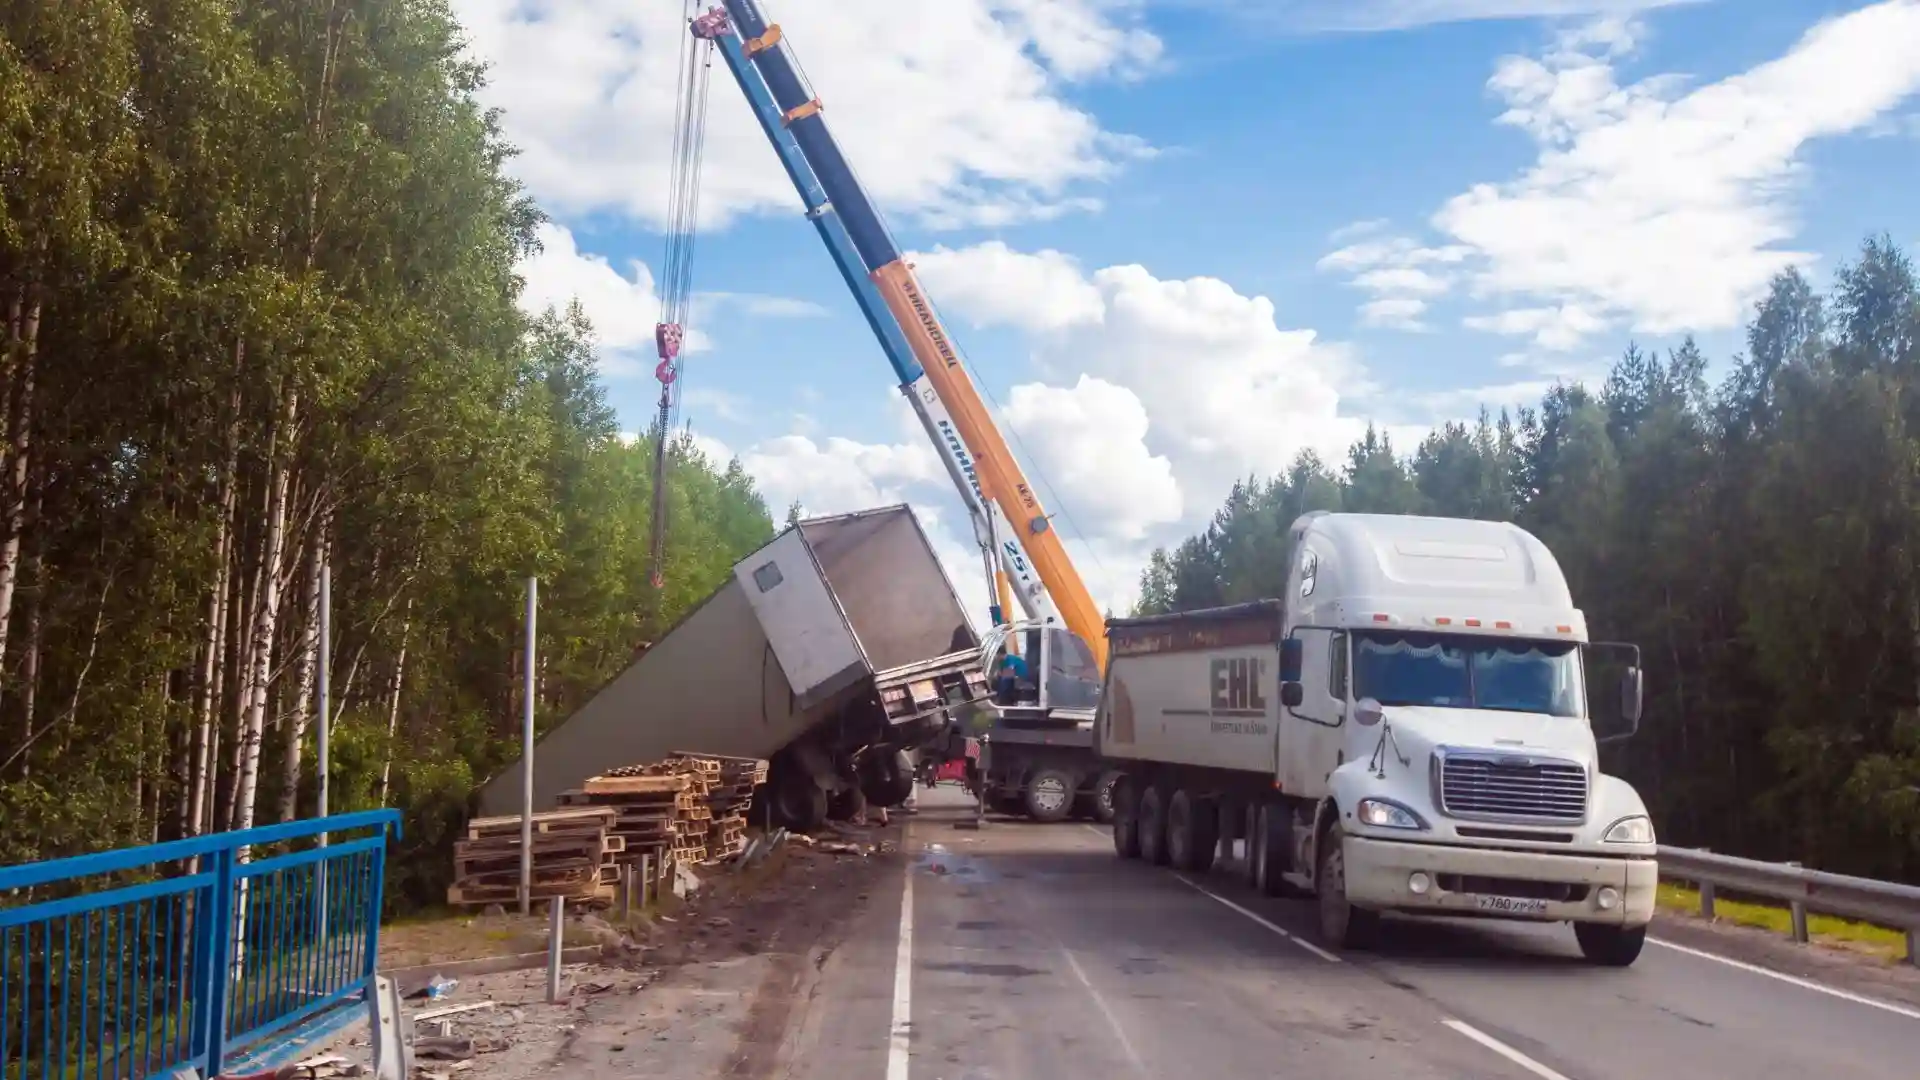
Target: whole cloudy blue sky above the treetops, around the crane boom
x,y
1184,239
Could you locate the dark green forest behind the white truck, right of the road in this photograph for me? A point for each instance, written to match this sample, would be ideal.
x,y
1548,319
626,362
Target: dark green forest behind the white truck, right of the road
x,y
1758,539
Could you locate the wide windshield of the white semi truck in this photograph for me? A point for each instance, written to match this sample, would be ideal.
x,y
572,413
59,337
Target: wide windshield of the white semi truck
x,y
1468,674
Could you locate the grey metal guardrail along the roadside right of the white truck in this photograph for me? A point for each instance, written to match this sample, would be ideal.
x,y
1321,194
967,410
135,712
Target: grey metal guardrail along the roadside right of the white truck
x,y
1883,904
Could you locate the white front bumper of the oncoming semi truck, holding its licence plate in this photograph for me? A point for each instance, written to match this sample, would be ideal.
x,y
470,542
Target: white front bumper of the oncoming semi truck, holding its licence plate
x,y
1435,879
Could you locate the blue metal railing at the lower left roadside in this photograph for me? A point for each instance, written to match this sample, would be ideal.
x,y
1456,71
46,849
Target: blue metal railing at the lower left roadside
x,y
133,964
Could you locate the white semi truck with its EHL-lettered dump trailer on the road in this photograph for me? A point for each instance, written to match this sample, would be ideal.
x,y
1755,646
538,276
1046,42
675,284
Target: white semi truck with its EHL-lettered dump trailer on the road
x,y
1414,727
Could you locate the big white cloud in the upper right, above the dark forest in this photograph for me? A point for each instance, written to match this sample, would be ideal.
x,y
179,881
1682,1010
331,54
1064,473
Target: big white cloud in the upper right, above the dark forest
x,y
1652,205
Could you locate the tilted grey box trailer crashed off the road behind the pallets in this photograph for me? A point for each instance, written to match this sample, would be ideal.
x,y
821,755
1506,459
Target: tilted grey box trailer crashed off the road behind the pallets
x,y
832,652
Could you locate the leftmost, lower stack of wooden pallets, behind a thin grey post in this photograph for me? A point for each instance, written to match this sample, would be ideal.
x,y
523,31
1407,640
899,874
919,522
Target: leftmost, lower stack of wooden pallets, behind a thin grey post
x,y
571,852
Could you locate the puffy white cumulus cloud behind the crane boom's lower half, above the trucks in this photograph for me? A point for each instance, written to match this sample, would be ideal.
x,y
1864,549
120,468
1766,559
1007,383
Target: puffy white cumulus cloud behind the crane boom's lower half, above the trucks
x,y
1155,397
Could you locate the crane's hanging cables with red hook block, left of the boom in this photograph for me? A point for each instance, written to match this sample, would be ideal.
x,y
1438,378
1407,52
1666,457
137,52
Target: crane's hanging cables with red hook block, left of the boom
x,y
677,266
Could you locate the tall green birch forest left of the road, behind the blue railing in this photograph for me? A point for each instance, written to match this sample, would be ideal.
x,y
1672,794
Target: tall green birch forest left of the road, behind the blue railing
x,y
262,316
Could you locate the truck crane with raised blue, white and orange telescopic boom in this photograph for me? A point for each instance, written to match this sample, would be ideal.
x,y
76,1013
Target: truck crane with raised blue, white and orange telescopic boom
x,y
1038,752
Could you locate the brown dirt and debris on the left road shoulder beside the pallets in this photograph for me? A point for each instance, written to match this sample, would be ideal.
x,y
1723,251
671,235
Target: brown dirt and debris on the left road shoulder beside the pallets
x,y
690,991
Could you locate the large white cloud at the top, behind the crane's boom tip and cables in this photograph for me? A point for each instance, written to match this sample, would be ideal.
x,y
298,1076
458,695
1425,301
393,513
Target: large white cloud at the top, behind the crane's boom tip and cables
x,y
990,135
